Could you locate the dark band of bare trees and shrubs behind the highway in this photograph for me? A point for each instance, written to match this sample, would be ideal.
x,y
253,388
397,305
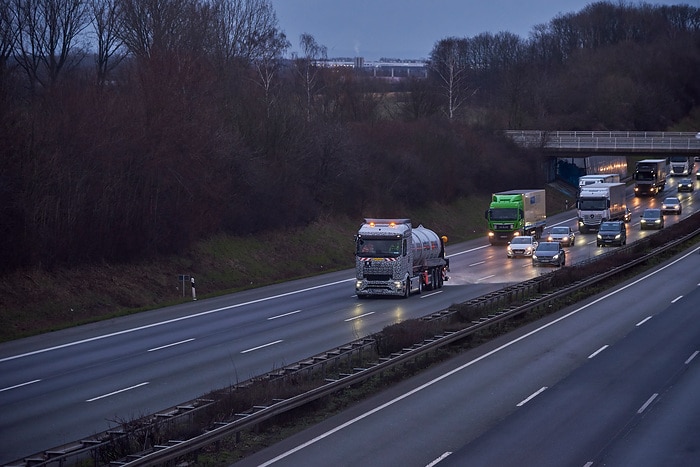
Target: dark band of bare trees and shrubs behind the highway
x,y
131,128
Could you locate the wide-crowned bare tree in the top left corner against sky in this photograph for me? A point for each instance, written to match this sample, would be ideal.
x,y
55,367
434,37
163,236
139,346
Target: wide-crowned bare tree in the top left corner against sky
x,y
47,36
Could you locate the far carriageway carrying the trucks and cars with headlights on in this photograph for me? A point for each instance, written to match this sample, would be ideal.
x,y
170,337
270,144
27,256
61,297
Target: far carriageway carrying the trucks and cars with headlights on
x,y
63,386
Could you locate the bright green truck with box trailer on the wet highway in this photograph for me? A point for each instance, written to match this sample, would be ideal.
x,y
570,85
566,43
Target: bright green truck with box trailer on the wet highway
x,y
516,212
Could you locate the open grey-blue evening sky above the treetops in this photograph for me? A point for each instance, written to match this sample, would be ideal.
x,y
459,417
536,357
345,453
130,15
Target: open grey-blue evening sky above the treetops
x,y
409,29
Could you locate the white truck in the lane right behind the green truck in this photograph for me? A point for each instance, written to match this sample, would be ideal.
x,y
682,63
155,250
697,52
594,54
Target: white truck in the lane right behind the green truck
x,y
601,202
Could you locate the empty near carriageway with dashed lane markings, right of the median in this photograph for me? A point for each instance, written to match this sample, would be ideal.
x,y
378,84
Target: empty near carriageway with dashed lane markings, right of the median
x,y
598,383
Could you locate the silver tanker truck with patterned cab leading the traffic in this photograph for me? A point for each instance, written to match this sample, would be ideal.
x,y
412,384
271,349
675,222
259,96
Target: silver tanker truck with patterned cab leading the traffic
x,y
394,258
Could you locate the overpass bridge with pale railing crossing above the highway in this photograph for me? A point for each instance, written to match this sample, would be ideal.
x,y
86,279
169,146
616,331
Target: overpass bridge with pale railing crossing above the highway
x,y
614,141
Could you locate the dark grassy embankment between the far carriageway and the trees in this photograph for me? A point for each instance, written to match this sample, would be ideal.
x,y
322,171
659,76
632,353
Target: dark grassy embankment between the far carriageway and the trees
x,y
37,301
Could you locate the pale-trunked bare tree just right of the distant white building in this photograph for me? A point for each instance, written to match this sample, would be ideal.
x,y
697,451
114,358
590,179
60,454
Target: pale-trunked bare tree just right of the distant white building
x,y
448,61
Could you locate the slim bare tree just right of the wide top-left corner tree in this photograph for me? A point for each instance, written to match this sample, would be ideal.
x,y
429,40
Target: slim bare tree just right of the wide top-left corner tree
x,y
107,23
